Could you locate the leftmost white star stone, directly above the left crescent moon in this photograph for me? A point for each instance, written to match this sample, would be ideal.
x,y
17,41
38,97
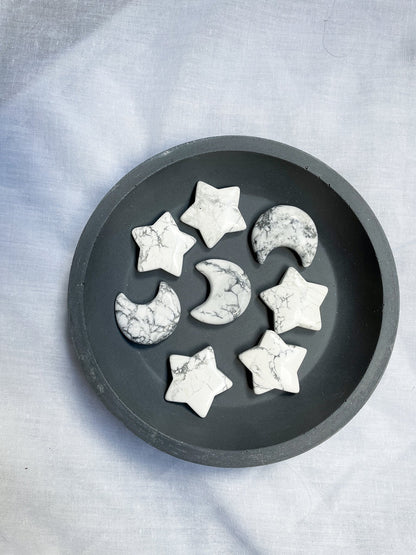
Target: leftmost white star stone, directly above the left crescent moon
x,y
162,245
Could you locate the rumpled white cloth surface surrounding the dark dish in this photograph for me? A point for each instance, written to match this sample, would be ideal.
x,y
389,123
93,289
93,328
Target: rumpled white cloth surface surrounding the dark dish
x,y
90,89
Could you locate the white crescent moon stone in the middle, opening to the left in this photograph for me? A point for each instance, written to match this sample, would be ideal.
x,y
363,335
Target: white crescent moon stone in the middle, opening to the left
x,y
230,292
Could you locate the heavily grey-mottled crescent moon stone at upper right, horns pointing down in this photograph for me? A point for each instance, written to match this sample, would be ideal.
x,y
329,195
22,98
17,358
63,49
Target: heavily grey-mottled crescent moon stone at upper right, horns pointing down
x,y
285,226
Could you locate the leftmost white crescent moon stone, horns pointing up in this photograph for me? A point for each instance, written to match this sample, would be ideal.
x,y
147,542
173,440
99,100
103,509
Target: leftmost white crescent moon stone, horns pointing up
x,y
151,323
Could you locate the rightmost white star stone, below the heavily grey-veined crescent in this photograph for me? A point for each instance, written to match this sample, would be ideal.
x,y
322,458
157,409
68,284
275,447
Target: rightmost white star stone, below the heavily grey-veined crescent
x,y
295,302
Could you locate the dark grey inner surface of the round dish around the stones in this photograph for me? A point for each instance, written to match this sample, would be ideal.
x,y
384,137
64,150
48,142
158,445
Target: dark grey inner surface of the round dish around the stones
x,y
338,355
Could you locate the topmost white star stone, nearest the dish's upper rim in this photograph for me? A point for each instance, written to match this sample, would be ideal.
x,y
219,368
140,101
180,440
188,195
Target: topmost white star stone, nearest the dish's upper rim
x,y
215,212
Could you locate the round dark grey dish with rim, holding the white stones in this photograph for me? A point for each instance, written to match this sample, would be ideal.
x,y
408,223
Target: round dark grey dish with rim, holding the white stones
x,y
345,360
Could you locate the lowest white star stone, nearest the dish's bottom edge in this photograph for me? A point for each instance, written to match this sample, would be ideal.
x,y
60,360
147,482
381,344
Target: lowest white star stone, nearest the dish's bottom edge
x,y
196,380
